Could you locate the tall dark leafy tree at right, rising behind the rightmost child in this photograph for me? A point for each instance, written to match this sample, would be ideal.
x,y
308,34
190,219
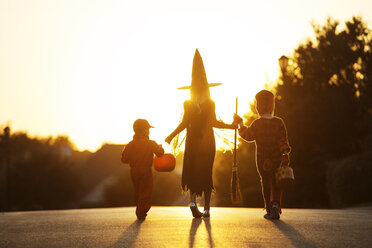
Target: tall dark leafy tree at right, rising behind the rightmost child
x,y
325,97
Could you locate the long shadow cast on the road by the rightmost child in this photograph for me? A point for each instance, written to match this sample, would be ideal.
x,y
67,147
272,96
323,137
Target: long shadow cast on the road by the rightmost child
x,y
296,238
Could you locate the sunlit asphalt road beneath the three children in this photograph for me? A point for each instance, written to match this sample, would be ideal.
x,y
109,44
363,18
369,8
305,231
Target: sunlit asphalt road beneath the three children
x,y
175,227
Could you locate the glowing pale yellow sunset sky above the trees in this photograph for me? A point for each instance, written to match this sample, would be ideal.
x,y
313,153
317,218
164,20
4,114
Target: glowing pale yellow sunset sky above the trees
x,y
88,69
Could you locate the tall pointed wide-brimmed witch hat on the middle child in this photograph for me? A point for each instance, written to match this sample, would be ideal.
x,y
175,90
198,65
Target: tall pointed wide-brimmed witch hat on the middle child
x,y
199,77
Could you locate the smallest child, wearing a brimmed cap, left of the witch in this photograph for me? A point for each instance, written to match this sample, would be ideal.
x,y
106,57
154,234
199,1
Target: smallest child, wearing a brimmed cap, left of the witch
x,y
139,154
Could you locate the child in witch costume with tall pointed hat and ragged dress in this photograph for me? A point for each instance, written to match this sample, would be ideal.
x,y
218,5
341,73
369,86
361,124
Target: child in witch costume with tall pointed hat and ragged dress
x,y
199,118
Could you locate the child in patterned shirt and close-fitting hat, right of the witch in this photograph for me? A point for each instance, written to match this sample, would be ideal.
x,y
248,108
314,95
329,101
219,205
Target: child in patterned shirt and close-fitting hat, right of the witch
x,y
272,149
